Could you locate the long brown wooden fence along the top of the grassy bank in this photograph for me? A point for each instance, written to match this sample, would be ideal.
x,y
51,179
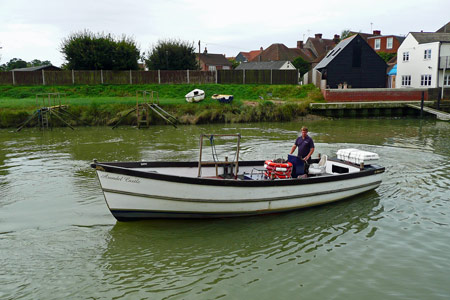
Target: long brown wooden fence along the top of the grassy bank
x,y
149,77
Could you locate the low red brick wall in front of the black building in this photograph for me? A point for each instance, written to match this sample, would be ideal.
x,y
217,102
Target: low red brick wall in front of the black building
x,y
366,95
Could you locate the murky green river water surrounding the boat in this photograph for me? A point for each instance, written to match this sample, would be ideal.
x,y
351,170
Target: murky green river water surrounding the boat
x,y
59,241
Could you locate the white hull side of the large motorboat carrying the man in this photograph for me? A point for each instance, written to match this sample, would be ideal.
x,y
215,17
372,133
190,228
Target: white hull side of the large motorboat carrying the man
x,y
130,197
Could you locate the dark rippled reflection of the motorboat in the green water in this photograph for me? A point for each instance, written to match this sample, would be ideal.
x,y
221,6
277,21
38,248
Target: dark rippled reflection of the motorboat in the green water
x,y
203,257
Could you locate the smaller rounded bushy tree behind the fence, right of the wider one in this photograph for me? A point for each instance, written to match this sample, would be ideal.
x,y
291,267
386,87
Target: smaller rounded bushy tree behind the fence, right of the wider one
x,y
172,55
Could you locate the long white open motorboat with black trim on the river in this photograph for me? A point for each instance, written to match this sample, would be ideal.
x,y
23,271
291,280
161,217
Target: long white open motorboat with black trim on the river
x,y
229,188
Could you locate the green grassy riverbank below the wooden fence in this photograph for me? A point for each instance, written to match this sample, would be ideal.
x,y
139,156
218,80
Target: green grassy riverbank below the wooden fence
x,y
106,104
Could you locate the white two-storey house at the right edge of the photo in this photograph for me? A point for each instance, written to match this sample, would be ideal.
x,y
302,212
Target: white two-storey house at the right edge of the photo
x,y
422,59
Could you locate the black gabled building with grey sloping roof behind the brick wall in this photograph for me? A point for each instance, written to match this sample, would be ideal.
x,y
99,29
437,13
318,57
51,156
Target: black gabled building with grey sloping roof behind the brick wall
x,y
353,63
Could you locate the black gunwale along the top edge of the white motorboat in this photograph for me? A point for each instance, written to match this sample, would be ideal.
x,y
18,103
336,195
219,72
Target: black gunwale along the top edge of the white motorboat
x,y
124,168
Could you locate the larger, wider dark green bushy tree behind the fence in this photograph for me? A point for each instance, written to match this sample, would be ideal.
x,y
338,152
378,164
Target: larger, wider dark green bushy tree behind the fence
x,y
88,51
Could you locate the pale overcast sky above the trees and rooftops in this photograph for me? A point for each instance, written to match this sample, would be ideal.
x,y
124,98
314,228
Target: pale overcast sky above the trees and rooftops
x,y
34,29
